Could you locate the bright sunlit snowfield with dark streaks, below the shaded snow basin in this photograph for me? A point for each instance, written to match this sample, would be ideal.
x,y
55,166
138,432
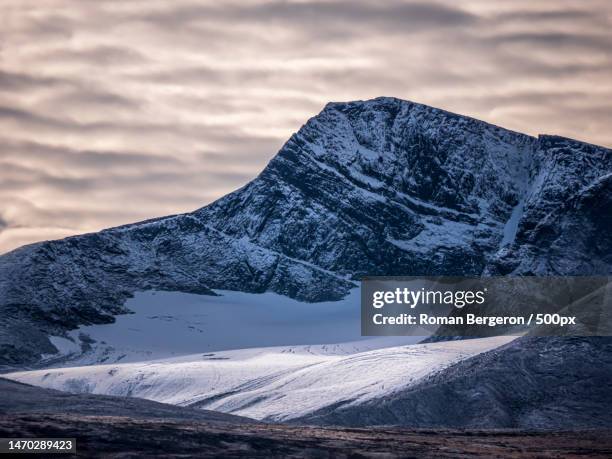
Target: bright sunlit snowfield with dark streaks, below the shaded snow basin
x,y
274,384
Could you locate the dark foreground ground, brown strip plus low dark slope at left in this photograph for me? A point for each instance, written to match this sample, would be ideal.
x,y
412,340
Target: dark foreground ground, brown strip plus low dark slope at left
x,y
120,427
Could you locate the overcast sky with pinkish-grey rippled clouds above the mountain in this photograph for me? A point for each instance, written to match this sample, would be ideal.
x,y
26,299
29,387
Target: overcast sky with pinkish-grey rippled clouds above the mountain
x,y
117,111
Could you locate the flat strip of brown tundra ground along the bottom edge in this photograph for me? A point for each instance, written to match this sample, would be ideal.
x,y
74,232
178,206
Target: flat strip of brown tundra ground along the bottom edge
x,y
126,437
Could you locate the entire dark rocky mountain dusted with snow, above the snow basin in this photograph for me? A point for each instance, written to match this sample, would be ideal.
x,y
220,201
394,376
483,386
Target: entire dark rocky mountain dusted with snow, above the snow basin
x,y
377,187
